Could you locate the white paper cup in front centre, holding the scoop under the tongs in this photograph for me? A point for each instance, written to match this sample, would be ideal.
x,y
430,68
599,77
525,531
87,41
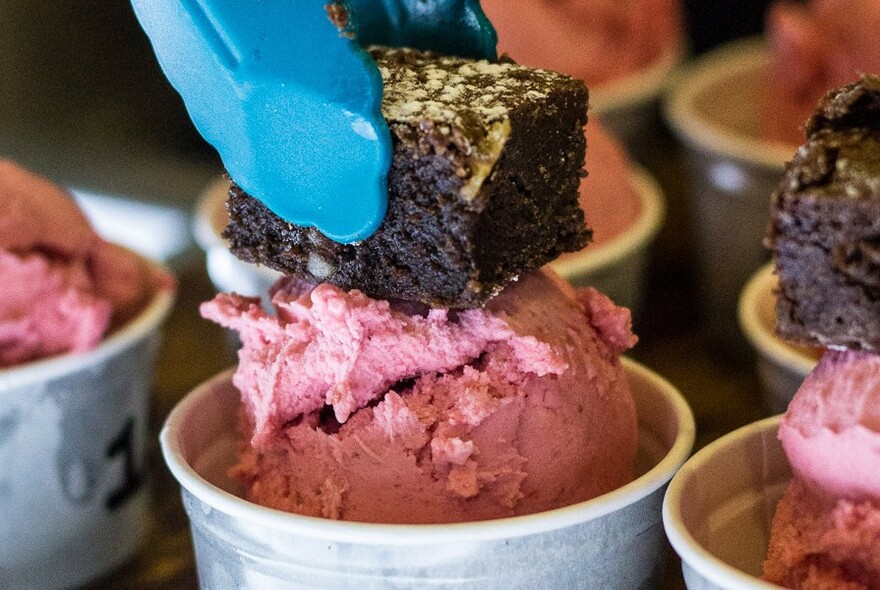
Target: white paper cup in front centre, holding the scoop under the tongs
x,y
614,541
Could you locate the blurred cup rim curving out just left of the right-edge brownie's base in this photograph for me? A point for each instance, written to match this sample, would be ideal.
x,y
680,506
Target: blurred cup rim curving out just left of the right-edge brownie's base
x,y
765,341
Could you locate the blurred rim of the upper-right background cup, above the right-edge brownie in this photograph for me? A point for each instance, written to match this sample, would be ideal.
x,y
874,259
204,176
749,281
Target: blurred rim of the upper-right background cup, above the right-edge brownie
x,y
693,80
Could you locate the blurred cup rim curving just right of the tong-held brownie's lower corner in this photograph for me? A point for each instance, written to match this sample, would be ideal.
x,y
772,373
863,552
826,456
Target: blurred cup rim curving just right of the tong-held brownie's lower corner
x,y
634,239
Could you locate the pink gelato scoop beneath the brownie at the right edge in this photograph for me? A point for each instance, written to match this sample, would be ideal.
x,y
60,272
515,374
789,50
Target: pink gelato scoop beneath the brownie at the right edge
x,y
826,531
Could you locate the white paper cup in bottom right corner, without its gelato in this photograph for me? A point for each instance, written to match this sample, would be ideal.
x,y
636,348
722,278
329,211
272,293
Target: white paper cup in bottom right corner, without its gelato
x,y
719,506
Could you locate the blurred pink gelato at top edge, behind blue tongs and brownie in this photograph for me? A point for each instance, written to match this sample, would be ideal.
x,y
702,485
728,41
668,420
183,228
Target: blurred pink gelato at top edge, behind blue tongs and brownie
x,y
597,41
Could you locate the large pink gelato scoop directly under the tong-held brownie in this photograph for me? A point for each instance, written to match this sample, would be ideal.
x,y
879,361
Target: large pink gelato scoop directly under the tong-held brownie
x,y
379,411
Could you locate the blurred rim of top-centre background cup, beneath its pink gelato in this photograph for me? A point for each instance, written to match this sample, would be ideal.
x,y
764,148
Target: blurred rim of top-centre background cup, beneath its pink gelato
x,y
641,86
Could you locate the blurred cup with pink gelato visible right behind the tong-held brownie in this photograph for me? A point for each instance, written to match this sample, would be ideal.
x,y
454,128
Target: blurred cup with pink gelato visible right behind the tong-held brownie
x,y
625,207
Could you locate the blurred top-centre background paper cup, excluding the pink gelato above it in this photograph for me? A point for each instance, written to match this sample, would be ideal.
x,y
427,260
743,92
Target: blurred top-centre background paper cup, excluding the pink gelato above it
x,y
629,106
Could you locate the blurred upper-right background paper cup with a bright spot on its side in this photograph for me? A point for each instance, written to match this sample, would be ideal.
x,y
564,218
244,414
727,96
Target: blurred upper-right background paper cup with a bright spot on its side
x,y
713,109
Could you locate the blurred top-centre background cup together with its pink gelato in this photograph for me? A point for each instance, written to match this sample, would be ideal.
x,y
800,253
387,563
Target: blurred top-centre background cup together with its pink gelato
x,y
624,51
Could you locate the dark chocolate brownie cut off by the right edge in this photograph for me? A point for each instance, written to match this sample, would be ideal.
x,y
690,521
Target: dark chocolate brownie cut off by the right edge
x,y
825,230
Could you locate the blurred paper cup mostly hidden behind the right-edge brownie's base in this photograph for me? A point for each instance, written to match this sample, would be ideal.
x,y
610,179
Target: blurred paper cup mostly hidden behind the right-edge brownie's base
x,y
781,366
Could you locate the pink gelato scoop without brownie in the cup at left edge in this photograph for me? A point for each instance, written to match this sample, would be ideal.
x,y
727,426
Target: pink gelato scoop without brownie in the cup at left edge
x,y
63,286
